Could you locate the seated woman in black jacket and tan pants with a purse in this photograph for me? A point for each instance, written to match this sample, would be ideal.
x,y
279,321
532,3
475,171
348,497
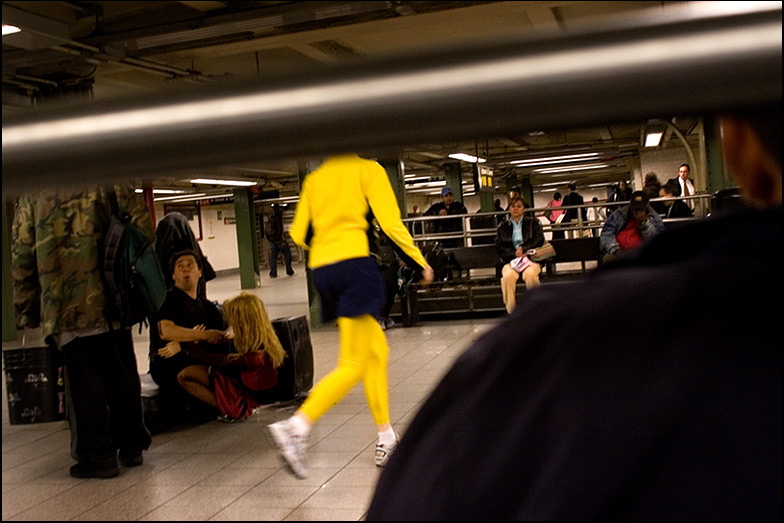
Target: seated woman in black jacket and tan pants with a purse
x,y
516,235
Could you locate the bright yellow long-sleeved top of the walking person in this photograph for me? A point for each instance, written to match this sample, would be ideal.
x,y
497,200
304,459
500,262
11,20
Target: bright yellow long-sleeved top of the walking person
x,y
333,207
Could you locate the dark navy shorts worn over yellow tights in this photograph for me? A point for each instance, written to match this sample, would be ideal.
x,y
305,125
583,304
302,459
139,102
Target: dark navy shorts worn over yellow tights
x,y
349,288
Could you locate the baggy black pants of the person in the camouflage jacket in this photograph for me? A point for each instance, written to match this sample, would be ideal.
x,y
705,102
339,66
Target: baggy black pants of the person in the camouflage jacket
x,y
106,396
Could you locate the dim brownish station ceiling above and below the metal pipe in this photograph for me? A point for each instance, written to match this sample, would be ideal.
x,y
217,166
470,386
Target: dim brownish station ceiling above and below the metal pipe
x,y
126,49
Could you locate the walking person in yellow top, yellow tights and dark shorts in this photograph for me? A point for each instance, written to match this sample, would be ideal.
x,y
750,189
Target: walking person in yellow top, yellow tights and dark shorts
x,y
333,221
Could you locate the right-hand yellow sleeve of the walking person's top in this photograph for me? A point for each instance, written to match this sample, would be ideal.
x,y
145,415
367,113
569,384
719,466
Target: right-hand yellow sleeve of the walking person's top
x,y
383,202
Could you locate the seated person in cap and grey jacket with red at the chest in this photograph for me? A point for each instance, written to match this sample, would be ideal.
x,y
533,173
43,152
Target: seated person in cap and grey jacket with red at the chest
x,y
629,226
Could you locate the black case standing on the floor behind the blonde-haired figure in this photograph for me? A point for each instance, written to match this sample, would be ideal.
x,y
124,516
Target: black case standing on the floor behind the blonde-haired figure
x,y
295,376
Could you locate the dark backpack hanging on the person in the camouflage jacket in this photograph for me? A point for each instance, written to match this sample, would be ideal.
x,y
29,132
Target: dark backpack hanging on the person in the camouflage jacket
x,y
135,284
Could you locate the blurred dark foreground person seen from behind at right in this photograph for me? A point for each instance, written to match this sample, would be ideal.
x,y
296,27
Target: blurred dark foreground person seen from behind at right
x,y
652,391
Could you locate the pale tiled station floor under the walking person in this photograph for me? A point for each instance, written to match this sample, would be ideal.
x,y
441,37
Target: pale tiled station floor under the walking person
x,y
219,471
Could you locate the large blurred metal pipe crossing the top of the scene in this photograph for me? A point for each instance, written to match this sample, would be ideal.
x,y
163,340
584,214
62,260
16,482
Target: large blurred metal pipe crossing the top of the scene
x,y
698,59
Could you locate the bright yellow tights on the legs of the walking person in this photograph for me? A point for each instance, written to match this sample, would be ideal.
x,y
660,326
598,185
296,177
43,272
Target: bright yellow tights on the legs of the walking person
x,y
363,357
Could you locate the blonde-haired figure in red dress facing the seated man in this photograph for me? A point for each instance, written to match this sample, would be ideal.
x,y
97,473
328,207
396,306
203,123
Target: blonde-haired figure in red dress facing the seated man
x,y
240,381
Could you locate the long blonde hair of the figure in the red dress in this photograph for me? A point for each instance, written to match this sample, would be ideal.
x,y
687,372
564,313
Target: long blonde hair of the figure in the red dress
x,y
247,315
